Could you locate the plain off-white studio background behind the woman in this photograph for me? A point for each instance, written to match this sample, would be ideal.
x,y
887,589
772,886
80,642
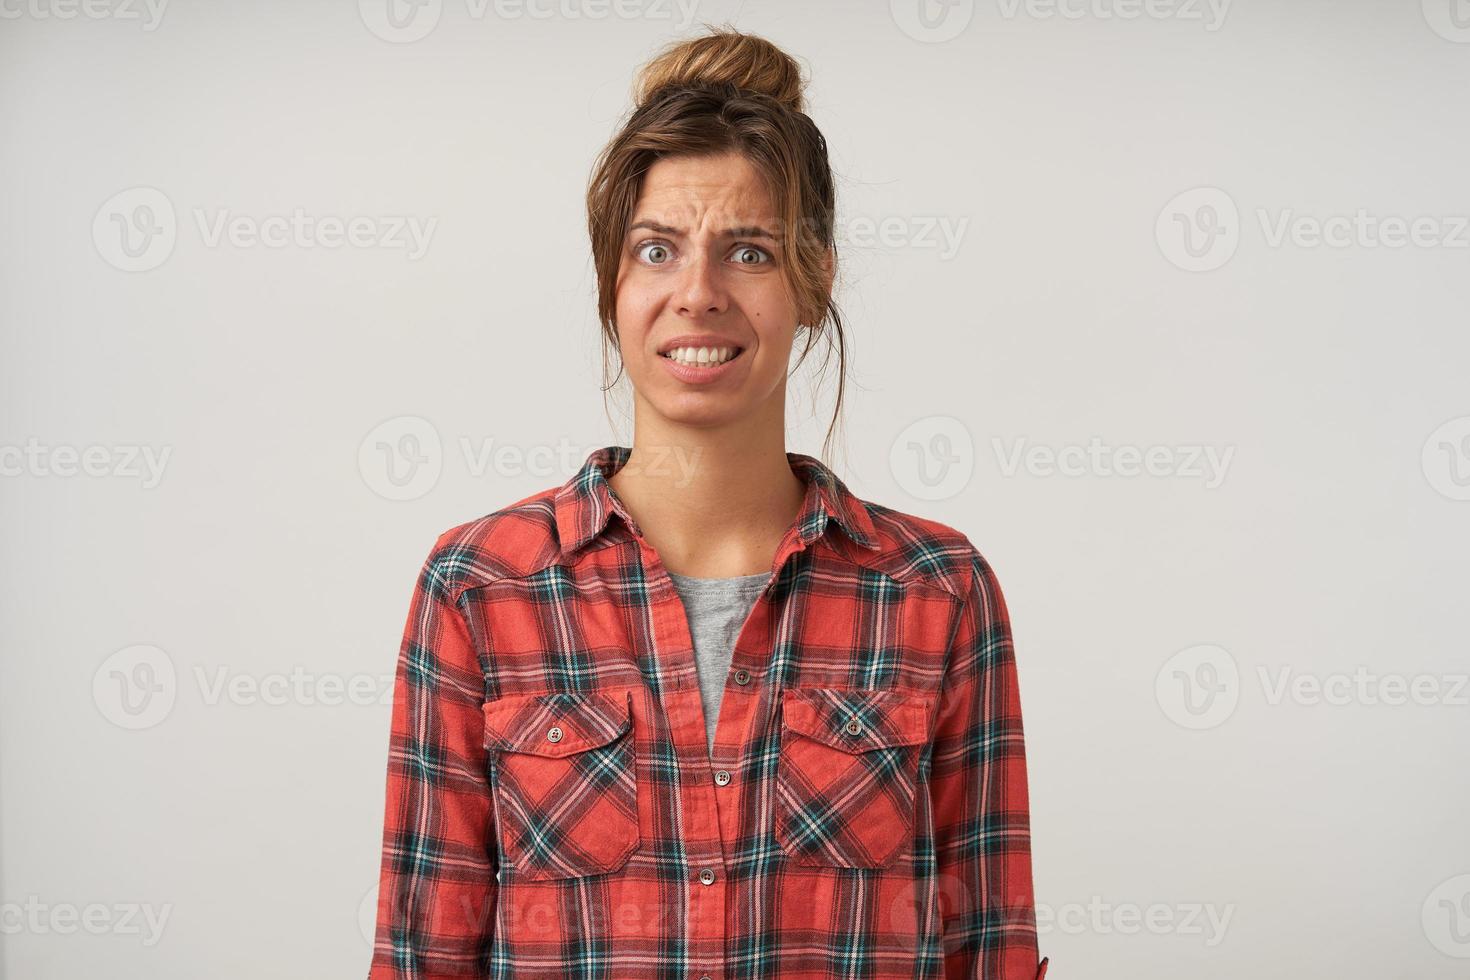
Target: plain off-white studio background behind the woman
x,y
1191,816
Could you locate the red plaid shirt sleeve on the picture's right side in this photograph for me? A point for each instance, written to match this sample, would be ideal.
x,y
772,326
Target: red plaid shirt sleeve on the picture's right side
x,y
980,799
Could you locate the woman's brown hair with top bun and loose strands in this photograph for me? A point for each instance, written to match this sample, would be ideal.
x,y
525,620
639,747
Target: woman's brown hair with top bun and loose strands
x,y
720,93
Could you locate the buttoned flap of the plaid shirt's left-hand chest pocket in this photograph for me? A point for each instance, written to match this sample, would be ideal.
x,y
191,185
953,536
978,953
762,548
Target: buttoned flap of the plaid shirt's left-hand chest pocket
x,y
559,724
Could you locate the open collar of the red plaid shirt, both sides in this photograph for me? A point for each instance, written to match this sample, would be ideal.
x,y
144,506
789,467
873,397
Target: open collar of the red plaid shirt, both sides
x,y
586,503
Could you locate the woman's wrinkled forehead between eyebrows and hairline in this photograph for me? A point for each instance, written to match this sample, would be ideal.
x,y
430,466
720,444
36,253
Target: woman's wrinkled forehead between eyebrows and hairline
x,y
689,187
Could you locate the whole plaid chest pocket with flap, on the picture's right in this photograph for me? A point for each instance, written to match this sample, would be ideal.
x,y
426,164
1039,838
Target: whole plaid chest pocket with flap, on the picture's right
x,y
847,777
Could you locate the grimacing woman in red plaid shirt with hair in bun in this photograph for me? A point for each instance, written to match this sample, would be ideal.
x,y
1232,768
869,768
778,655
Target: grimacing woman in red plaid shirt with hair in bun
x,y
700,712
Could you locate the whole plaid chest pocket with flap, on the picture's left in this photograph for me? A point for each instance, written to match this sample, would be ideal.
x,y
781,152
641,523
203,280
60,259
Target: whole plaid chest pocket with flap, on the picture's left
x,y
565,782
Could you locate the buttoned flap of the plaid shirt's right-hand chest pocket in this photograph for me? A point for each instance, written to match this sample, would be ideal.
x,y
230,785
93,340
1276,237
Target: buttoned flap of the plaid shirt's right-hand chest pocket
x,y
856,721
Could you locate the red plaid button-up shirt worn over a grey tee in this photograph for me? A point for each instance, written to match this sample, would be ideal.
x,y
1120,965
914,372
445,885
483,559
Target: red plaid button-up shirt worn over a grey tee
x,y
553,809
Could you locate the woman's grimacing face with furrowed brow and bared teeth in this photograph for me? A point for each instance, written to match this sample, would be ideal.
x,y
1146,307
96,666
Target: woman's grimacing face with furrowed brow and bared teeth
x,y
700,281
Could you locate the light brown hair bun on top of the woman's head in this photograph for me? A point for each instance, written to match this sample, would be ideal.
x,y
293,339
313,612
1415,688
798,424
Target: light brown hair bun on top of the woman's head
x,y
725,57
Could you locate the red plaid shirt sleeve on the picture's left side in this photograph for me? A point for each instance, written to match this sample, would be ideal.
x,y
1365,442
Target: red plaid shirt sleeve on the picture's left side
x,y
437,885
